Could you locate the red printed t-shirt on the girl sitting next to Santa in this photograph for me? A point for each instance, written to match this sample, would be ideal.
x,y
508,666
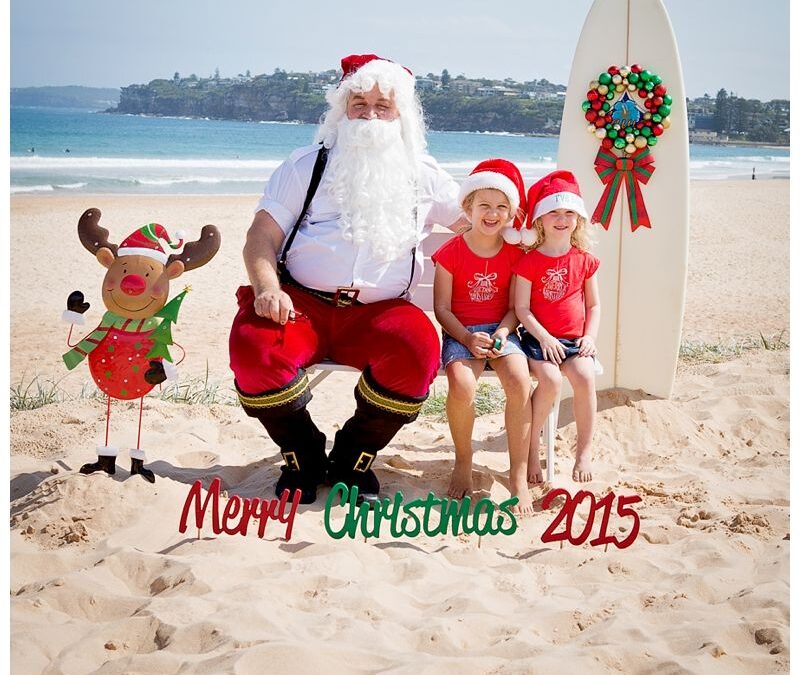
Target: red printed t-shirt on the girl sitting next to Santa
x,y
480,285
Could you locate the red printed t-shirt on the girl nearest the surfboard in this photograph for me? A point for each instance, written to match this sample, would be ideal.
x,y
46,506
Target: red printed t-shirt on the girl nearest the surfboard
x,y
557,296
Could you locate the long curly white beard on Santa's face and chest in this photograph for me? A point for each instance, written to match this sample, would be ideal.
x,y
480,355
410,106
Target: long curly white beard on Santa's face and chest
x,y
372,179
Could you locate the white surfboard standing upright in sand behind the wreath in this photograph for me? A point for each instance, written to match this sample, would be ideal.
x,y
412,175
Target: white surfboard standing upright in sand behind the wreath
x,y
642,274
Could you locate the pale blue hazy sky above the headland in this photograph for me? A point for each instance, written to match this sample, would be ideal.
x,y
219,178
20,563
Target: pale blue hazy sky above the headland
x,y
740,45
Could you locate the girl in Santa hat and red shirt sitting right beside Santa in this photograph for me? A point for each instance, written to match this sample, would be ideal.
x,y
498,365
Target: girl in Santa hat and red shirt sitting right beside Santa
x,y
472,298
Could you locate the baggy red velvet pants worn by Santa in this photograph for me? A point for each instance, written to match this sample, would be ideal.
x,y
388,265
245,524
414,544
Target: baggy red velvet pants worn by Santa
x,y
393,338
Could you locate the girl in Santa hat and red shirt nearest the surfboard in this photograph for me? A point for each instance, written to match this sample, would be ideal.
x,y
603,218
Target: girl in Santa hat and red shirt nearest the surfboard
x,y
558,303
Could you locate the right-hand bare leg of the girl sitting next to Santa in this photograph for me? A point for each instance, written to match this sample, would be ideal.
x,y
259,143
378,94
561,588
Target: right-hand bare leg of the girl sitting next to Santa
x,y
512,371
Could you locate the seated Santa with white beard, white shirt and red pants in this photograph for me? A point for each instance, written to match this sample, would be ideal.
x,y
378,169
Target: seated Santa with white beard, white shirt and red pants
x,y
332,255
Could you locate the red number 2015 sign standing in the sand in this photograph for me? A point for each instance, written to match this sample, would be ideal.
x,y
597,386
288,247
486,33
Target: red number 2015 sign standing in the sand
x,y
605,504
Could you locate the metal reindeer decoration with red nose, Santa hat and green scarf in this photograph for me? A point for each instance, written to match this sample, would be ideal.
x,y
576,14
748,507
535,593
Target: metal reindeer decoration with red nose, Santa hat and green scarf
x,y
128,352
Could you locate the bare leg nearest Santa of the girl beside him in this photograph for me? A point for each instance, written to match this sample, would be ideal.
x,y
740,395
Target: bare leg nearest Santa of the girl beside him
x,y
462,379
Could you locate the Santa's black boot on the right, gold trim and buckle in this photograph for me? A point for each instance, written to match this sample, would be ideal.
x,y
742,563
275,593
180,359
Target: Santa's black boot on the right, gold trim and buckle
x,y
379,416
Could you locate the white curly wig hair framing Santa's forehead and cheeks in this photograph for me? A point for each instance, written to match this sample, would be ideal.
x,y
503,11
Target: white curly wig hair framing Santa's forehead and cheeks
x,y
393,80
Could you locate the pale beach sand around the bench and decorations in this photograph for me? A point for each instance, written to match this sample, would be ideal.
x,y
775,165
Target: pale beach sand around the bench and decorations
x,y
101,579
